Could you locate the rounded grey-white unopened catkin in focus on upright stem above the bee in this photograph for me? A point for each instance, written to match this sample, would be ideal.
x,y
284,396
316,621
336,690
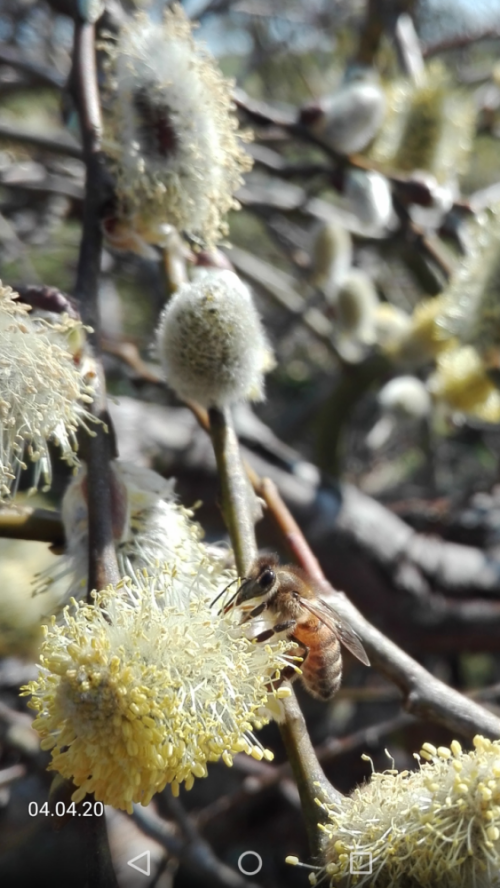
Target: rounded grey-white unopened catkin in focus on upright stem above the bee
x,y
211,342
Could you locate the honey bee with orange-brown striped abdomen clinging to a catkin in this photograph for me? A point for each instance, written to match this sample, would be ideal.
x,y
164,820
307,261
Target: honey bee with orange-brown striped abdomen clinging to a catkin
x,y
289,595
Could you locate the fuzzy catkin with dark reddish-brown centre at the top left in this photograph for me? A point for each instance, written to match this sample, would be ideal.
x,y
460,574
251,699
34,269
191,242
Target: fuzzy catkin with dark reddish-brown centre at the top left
x,y
170,130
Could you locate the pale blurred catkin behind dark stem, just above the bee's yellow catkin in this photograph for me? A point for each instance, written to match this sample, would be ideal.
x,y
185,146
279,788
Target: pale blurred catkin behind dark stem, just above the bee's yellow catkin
x,y
149,528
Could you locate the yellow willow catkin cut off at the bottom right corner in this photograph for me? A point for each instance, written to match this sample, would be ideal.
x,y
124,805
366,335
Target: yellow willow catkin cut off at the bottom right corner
x,y
438,826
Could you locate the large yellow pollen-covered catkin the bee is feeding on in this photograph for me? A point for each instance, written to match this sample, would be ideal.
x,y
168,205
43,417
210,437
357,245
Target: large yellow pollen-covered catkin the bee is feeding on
x,y
149,684
